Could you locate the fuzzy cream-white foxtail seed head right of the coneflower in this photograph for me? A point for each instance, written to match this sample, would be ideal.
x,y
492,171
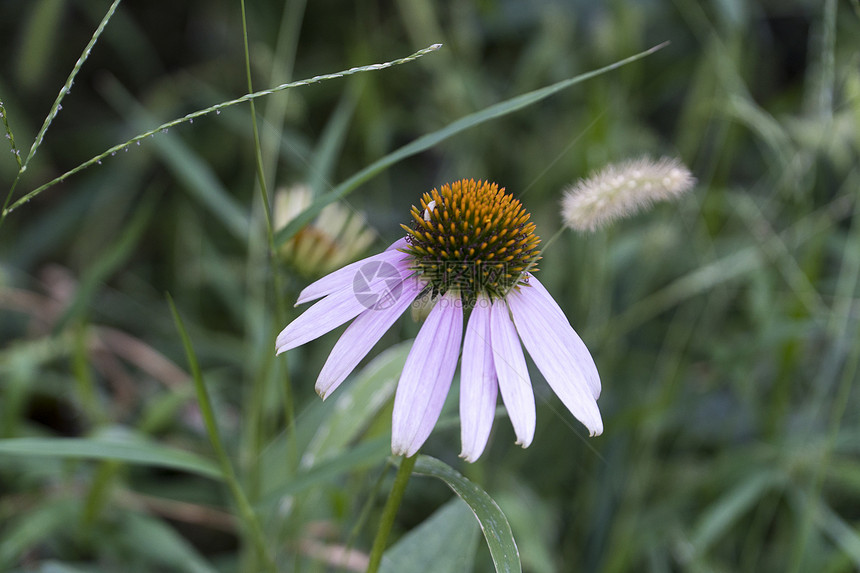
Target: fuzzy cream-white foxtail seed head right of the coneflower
x,y
623,189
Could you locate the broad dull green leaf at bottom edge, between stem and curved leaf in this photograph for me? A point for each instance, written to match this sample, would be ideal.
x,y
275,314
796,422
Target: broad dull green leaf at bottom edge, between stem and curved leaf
x,y
445,543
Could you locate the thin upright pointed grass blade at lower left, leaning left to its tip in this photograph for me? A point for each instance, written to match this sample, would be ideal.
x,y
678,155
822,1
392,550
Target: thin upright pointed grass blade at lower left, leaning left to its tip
x,y
254,530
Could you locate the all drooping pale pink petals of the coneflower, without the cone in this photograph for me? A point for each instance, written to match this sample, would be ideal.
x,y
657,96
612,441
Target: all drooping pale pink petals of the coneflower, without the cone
x,y
493,362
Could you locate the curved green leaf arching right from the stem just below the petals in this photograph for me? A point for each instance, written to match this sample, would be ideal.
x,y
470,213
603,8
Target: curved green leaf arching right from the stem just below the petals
x,y
494,524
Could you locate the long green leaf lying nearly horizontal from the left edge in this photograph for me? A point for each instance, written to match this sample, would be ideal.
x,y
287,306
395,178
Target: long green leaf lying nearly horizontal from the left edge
x,y
125,450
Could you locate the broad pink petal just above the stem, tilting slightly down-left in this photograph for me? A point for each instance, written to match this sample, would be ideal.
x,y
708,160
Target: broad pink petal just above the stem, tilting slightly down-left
x,y
426,376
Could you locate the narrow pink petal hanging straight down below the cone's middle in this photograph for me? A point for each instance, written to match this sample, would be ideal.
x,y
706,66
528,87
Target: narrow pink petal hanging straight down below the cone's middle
x,y
479,387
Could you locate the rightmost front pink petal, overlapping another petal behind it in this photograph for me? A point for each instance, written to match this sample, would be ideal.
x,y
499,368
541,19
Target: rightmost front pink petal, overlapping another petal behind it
x,y
546,336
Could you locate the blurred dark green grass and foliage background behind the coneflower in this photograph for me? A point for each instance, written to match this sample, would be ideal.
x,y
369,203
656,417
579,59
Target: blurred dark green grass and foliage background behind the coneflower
x,y
724,326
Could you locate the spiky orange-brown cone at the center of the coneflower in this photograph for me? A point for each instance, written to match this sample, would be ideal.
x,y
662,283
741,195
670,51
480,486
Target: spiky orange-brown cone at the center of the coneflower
x,y
473,238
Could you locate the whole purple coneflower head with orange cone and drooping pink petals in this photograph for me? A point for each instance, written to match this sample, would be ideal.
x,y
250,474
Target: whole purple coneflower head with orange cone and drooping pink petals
x,y
472,249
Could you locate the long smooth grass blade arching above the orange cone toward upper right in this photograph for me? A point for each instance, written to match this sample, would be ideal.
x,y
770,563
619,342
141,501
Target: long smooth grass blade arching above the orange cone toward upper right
x,y
431,139
